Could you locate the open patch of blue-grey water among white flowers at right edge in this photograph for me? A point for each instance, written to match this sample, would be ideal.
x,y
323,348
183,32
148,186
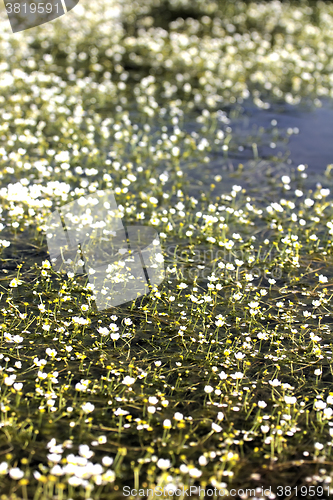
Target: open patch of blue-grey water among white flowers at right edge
x,y
285,137
